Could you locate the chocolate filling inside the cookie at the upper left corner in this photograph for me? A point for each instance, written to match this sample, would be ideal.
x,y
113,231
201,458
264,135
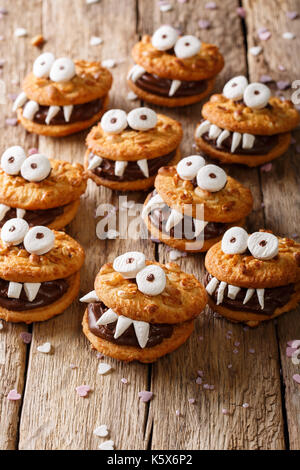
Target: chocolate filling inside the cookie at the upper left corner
x,y
81,112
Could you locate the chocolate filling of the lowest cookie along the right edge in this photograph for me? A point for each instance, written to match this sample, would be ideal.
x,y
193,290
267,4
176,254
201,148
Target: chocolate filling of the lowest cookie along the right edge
x,y
275,297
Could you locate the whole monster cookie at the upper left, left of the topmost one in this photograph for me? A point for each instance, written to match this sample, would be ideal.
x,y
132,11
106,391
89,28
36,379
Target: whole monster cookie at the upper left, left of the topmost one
x,y
61,97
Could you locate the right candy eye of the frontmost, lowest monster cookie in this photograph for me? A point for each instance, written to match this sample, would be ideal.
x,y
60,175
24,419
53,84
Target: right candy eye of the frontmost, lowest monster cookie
x,y
151,280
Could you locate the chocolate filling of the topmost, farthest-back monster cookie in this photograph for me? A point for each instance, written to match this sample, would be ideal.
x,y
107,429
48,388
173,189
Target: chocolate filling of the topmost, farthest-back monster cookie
x,y
161,86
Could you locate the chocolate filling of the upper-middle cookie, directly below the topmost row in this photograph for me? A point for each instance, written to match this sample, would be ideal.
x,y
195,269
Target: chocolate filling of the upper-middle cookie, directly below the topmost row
x,y
132,171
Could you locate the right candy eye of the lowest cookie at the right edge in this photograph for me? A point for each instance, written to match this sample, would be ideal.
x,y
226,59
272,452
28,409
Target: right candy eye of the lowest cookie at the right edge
x,y
263,245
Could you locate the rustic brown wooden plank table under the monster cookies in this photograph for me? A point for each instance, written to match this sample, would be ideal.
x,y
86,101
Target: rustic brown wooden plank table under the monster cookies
x,y
247,366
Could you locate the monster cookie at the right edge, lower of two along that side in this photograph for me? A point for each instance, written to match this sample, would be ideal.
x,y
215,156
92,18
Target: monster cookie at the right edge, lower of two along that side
x,y
252,278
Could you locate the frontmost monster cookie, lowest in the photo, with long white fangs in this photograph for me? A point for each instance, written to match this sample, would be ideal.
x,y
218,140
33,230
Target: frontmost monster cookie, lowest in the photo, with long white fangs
x,y
141,310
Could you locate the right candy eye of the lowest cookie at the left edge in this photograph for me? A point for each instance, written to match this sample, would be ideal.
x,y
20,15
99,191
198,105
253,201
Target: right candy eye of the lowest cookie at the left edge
x,y
39,240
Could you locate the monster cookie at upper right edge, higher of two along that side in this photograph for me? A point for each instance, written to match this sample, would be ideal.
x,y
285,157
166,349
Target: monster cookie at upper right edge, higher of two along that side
x,y
245,124
